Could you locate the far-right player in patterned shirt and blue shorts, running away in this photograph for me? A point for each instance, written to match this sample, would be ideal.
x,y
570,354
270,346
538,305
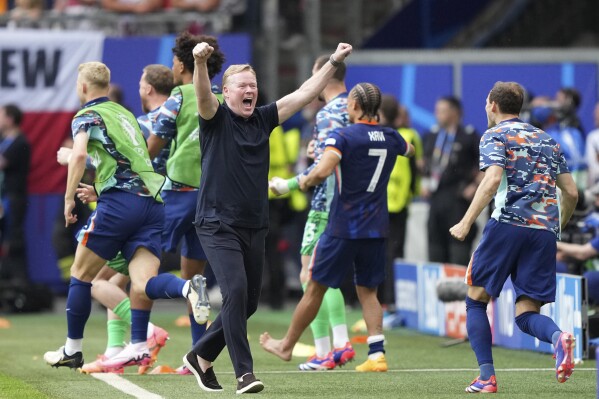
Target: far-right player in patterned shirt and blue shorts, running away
x,y
522,165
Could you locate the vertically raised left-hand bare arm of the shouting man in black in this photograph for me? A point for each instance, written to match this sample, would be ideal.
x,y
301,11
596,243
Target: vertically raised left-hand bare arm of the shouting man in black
x,y
207,101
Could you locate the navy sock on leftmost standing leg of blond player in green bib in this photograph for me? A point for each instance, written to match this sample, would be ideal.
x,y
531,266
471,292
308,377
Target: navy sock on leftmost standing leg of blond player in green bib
x,y
79,307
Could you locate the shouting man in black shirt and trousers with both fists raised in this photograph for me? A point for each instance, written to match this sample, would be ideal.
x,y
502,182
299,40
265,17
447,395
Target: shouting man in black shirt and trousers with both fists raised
x,y
232,210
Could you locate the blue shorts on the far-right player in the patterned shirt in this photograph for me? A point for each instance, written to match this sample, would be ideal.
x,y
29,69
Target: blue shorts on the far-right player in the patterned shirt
x,y
525,254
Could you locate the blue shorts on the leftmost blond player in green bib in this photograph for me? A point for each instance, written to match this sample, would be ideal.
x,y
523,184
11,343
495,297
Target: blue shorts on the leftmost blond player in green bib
x,y
123,222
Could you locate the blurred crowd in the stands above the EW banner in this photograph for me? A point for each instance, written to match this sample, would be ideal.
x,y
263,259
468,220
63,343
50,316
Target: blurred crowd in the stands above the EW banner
x,y
123,17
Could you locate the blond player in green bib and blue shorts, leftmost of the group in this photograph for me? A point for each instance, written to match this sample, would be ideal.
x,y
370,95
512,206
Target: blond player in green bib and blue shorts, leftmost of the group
x,y
129,216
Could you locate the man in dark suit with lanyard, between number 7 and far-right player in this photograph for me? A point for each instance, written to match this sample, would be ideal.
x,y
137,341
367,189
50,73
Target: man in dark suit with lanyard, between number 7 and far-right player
x,y
451,177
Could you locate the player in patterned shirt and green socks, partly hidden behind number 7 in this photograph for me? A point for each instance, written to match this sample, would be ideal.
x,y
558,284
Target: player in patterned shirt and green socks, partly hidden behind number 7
x,y
332,116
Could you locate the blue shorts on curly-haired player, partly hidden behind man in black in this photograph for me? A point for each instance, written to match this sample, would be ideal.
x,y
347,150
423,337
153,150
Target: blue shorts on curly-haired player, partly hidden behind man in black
x,y
179,214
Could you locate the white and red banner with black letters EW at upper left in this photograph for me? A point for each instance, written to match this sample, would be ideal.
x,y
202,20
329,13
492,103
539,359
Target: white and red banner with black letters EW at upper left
x,y
38,73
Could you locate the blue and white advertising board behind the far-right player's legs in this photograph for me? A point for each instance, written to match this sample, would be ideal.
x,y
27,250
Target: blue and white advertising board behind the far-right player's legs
x,y
429,315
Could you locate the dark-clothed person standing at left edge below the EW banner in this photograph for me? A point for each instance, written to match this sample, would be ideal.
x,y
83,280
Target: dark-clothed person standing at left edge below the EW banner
x,y
14,167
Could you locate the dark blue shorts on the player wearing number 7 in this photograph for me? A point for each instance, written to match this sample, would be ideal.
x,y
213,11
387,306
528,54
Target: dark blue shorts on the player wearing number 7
x,y
333,257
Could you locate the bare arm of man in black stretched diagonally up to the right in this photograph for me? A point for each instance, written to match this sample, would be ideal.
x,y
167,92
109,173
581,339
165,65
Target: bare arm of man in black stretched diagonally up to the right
x,y
295,101
